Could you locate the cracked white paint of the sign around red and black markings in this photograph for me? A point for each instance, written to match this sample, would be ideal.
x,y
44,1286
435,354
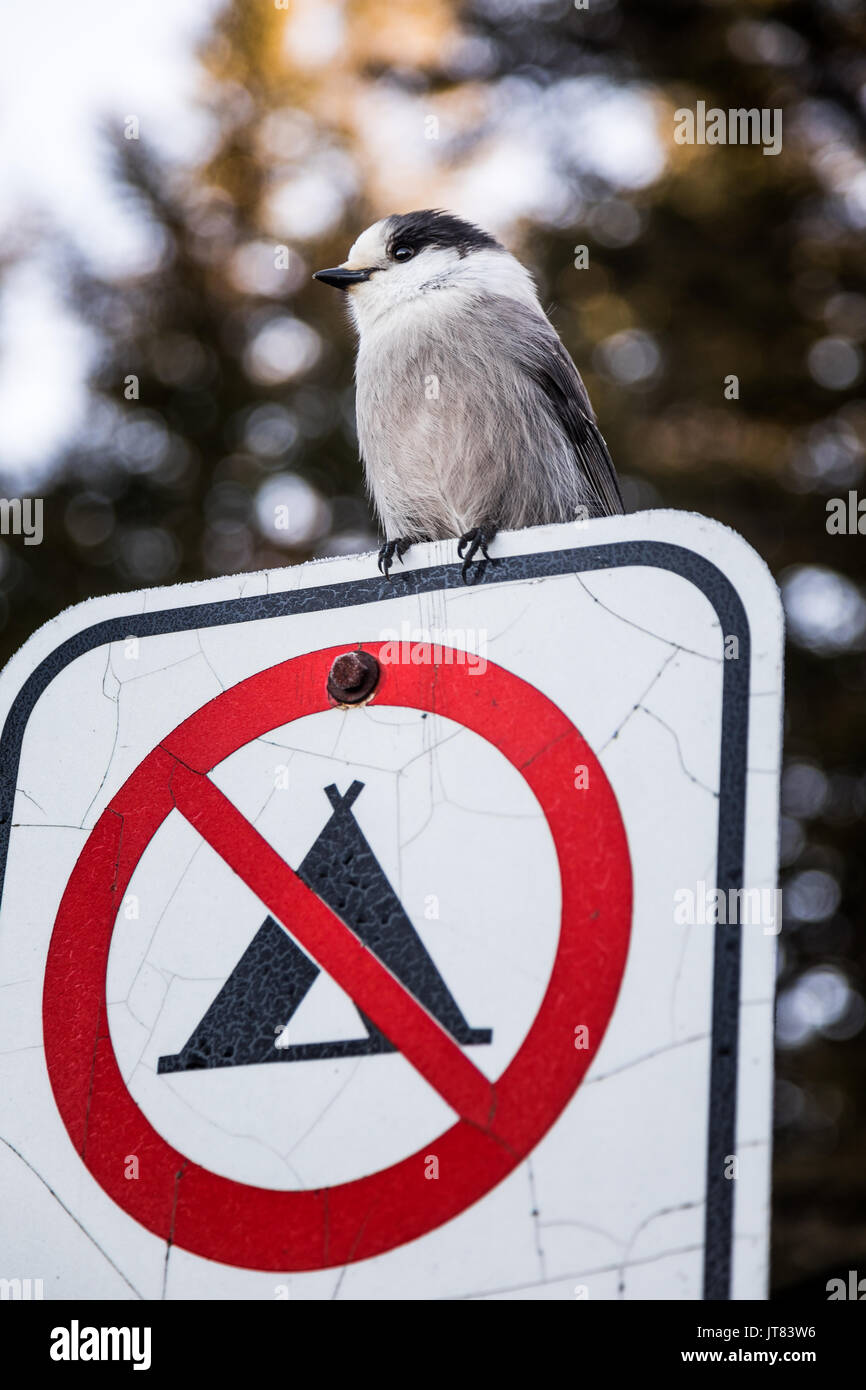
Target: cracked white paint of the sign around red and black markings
x,y
615,1196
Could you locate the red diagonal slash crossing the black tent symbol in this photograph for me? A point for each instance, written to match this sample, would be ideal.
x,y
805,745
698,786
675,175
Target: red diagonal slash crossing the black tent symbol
x,y
334,947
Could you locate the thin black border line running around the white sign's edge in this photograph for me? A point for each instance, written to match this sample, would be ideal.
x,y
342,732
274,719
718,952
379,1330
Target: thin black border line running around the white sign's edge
x,y
689,565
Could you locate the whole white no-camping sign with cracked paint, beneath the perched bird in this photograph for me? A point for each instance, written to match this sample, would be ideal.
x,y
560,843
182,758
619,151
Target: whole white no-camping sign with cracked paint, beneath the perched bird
x,y
462,990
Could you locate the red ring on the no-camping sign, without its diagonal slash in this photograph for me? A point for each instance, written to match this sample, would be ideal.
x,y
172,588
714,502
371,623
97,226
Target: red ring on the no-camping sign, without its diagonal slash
x,y
258,1228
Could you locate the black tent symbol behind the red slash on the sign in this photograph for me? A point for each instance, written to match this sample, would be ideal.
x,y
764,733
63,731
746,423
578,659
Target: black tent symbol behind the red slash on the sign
x,y
275,975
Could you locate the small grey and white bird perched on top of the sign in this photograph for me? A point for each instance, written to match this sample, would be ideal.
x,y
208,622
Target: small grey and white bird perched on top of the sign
x,y
472,416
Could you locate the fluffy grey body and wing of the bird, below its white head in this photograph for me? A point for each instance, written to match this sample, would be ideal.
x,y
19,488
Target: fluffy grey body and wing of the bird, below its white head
x,y
479,416
